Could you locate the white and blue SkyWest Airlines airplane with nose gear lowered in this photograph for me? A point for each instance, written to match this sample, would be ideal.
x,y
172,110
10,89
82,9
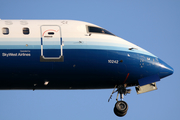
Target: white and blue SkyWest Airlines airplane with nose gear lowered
x,y
71,54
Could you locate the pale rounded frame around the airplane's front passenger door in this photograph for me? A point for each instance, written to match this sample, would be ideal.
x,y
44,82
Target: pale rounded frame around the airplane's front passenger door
x,y
51,59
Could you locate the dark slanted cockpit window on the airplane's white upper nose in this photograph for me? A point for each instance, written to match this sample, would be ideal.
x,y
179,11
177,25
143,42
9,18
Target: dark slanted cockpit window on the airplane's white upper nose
x,y
98,30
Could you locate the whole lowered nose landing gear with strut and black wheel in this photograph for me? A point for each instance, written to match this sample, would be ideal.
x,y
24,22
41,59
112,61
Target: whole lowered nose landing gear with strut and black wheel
x,y
121,107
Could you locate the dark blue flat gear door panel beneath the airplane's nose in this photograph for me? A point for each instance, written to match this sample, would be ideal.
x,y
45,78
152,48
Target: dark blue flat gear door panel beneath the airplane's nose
x,y
148,80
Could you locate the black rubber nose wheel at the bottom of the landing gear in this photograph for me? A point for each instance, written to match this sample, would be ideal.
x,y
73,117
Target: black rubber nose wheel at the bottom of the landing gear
x,y
120,108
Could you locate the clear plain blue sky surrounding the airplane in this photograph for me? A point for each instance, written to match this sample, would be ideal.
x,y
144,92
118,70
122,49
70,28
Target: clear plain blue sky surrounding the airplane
x,y
153,25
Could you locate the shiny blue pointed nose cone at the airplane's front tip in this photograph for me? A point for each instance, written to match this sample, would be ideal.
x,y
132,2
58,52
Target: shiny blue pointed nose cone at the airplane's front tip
x,y
165,69
